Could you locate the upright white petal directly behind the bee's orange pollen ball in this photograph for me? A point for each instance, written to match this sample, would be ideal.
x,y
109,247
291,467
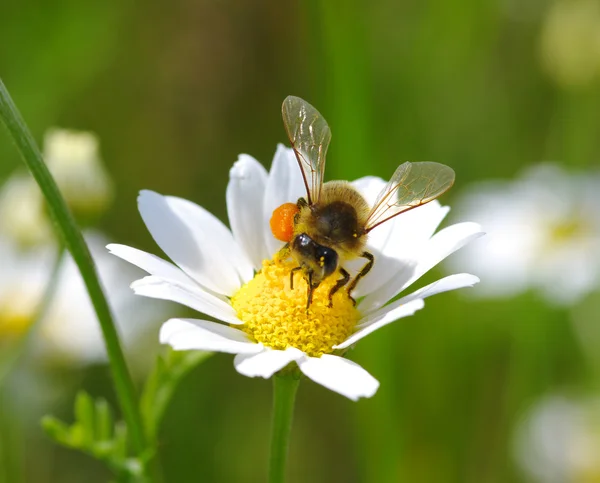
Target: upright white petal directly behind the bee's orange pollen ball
x,y
284,185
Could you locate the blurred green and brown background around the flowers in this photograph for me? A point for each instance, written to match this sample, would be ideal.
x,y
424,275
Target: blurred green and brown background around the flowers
x,y
176,90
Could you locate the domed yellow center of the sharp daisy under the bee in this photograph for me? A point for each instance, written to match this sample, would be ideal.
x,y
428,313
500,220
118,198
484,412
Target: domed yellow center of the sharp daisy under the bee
x,y
276,315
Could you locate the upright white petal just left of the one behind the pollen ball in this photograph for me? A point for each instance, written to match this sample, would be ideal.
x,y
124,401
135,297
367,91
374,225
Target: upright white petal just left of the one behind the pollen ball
x,y
245,194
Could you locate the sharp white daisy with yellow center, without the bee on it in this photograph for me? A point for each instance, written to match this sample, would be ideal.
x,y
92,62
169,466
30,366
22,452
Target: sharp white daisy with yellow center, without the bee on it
x,y
265,322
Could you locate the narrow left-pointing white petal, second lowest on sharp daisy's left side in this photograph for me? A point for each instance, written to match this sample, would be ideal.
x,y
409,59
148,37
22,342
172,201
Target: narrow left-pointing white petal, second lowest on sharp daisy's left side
x,y
188,295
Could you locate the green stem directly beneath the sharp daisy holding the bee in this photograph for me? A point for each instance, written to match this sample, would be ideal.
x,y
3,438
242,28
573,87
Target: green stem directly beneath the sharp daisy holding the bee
x,y
284,395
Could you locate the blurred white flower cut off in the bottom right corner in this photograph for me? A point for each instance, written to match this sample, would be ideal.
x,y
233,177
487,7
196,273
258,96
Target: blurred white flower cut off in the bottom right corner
x,y
559,441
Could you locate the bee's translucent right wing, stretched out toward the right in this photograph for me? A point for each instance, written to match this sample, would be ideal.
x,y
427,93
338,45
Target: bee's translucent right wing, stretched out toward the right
x,y
412,185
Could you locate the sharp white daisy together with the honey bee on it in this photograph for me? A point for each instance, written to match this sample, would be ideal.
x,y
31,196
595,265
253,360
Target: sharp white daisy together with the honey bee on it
x,y
243,277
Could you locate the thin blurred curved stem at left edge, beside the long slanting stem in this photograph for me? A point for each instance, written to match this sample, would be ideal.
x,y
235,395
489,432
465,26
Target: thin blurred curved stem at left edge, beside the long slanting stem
x,y
10,358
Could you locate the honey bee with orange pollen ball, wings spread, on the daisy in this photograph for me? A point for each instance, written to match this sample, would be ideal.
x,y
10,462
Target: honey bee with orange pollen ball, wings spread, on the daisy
x,y
332,223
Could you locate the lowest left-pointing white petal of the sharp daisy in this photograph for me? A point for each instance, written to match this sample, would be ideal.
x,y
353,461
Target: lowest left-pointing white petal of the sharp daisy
x,y
195,334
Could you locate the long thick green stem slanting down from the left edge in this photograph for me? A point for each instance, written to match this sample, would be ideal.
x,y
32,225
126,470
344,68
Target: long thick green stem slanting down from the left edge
x,y
74,242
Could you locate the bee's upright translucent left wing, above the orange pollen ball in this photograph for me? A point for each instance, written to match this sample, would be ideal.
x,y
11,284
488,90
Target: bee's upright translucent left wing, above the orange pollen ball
x,y
309,135
